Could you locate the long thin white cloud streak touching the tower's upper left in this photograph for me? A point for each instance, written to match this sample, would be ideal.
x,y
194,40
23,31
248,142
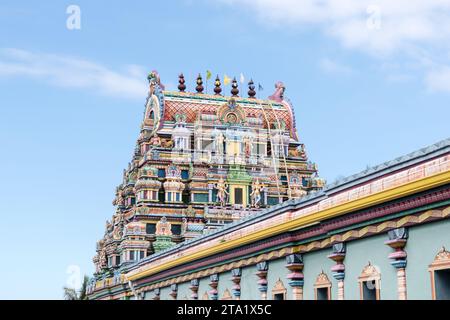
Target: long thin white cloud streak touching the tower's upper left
x,y
74,73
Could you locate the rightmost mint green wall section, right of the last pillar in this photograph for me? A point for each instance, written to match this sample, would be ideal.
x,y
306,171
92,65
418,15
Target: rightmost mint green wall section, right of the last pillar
x,y
423,244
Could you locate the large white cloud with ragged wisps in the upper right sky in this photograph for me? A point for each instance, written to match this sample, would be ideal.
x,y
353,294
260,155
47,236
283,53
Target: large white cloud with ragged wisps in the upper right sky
x,y
409,30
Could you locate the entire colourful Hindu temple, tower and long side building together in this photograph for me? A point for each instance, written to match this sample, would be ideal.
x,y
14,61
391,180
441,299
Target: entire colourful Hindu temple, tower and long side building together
x,y
220,201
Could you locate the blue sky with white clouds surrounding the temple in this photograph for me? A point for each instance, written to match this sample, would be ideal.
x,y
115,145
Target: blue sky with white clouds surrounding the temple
x,y
370,81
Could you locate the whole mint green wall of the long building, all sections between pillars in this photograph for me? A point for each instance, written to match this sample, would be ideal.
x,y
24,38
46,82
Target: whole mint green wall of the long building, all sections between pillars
x,y
423,244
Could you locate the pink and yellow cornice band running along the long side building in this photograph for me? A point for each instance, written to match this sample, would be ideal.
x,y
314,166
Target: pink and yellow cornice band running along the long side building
x,y
292,215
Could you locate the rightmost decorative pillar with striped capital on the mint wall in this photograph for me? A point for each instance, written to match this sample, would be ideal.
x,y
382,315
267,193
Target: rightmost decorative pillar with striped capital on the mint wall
x,y
397,241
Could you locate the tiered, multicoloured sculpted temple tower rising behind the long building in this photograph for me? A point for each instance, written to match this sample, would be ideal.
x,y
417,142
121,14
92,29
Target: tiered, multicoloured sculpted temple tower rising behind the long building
x,y
202,161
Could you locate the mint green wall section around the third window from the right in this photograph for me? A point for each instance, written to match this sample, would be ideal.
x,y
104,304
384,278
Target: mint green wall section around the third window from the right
x,y
314,263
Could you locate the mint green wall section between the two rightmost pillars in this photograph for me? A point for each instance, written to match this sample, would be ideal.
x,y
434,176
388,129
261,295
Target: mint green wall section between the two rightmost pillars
x,y
359,253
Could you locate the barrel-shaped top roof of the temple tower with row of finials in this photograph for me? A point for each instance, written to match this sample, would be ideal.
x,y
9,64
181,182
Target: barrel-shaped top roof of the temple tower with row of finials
x,y
273,112
